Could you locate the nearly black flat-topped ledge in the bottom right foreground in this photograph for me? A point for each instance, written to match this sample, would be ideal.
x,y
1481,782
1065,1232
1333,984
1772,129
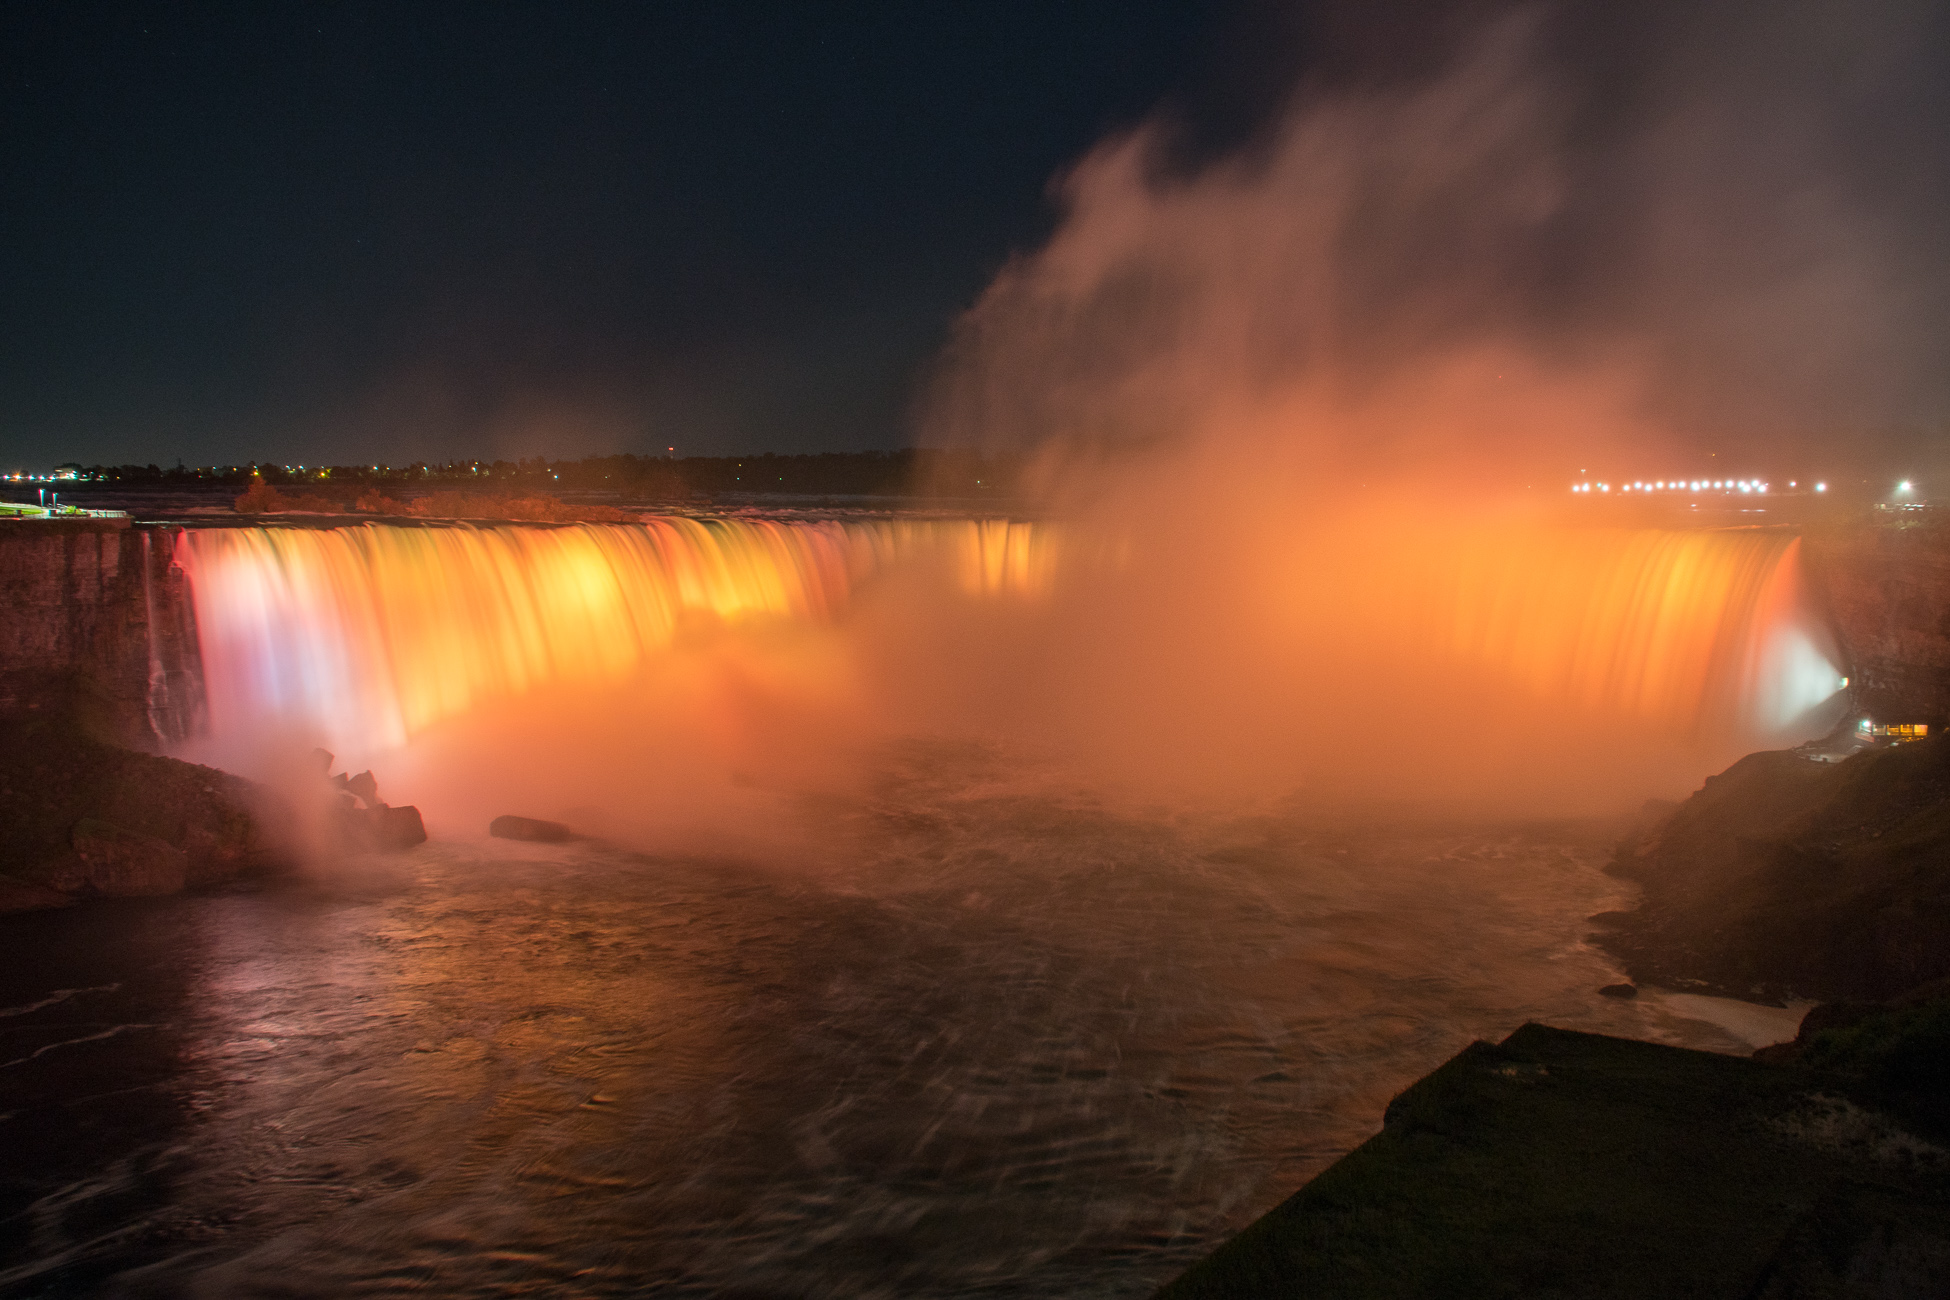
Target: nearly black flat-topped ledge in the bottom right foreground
x,y
1573,1165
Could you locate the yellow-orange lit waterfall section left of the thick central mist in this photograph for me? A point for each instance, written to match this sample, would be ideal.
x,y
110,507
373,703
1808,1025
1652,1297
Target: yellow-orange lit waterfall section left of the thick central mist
x,y
377,632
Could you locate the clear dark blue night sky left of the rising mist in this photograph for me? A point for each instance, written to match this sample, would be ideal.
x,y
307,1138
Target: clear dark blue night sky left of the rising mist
x,y
418,231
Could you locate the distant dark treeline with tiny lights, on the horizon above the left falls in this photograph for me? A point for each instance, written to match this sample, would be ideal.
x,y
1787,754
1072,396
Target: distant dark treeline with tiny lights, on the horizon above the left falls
x,y
641,478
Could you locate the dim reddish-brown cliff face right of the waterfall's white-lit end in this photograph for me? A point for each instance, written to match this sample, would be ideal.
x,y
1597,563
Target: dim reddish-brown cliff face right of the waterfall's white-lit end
x,y
1889,592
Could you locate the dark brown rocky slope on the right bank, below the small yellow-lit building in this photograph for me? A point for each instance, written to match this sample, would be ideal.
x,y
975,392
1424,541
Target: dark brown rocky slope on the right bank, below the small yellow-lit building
x,y
1791,878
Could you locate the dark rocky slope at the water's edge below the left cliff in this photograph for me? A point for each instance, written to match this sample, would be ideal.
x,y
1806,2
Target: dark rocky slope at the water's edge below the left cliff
x,y
93,820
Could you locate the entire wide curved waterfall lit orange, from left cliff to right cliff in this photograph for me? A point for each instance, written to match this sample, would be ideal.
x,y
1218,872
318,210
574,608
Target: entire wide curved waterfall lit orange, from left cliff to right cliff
x,y
377,634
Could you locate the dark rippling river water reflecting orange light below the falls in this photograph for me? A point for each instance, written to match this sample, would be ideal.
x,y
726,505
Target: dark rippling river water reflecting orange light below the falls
x,y
1003,1042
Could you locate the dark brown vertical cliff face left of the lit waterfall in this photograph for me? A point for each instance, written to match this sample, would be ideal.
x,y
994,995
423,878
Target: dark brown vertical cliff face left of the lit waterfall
x,y
98,623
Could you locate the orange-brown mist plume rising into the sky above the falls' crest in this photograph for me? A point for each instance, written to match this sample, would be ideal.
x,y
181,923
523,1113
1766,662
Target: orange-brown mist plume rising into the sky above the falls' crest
x,y
1697,215
